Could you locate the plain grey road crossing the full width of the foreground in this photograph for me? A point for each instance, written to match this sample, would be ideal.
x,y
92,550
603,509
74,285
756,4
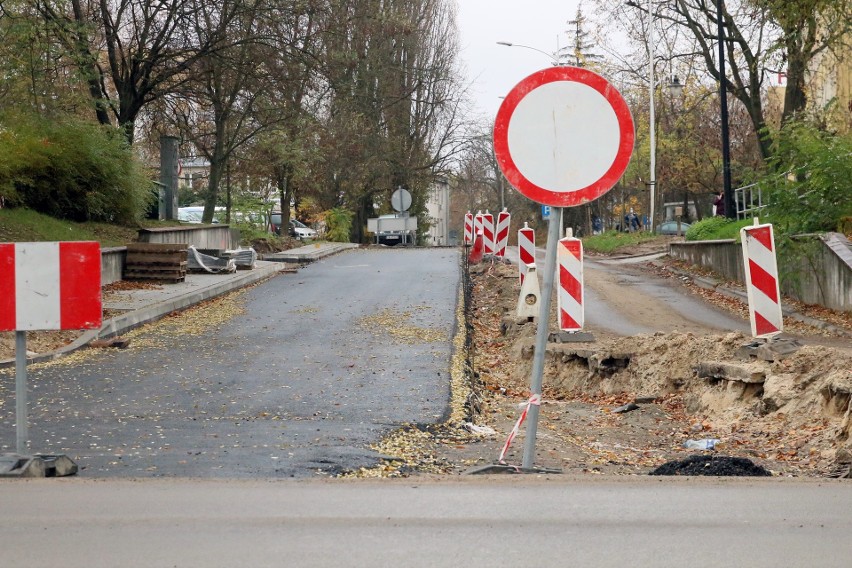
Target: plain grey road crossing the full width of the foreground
x,y
506,521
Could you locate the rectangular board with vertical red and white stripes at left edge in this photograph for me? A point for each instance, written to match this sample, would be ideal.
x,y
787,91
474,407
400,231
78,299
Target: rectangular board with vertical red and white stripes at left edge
x,y
48,286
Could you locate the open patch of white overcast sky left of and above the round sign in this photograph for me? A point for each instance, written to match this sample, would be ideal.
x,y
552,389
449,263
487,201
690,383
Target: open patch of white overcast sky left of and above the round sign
x,y
495,69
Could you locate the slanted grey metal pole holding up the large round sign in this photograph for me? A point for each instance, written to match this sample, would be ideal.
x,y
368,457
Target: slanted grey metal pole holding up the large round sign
x,y
553,230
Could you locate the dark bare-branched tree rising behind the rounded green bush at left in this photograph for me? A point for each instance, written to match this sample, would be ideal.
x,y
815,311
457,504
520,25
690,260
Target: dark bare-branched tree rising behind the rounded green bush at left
x,y
131,52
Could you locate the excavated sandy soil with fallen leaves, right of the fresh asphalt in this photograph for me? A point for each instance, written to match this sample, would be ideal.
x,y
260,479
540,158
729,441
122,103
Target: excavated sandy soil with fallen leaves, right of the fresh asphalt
x,y
790,416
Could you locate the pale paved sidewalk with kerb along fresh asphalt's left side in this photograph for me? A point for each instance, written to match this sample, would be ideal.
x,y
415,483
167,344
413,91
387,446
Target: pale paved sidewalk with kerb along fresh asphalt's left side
x,y
143,305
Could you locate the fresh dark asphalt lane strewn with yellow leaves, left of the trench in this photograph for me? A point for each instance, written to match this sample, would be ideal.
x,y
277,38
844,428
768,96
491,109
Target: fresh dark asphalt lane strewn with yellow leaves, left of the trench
x,y
299,385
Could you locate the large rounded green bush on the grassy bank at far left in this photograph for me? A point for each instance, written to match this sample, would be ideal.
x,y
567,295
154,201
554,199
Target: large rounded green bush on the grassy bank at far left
x,y
71,169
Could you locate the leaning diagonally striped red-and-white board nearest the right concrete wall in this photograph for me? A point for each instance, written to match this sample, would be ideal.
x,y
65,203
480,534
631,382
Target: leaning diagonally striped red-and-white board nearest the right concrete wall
x,y
761,272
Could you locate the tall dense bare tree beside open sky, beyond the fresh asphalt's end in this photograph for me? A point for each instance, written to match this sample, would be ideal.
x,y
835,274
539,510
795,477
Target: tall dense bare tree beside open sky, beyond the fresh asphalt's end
x,y
394,99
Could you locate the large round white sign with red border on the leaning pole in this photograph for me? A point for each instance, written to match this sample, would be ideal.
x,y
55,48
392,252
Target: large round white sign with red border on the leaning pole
x,y
563,136
